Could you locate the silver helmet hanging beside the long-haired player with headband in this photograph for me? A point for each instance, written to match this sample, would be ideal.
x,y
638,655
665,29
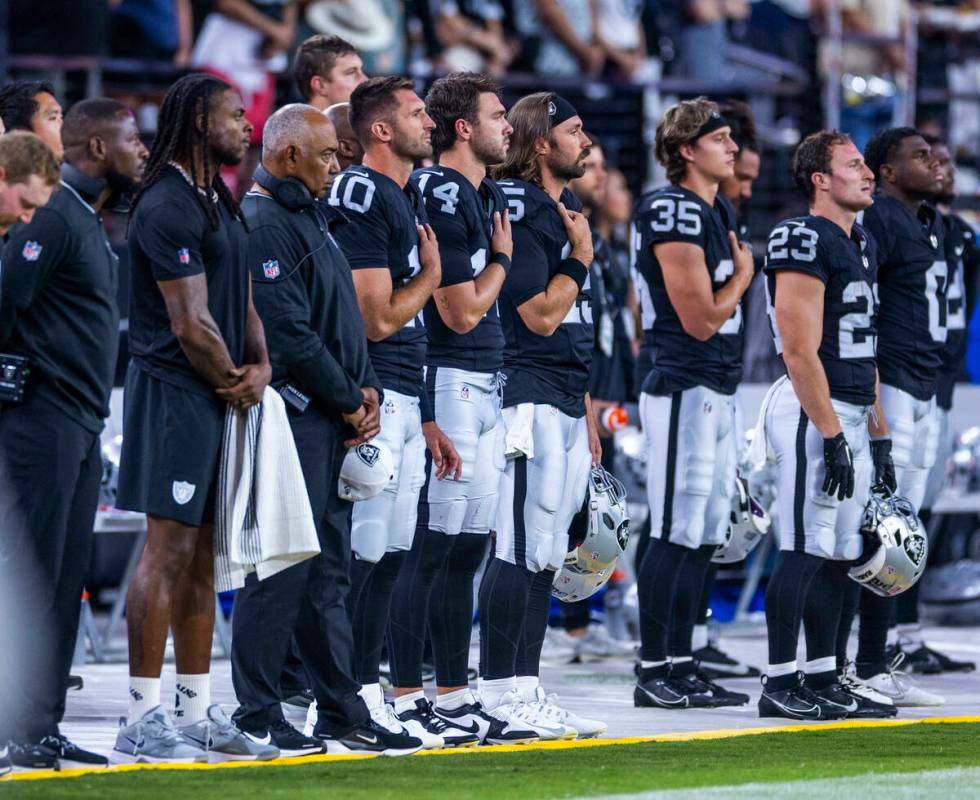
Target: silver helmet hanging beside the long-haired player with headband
x,y
589,565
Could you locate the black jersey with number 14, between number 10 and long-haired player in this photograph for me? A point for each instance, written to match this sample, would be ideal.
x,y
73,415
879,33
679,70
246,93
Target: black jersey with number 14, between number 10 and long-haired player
x,y
462,219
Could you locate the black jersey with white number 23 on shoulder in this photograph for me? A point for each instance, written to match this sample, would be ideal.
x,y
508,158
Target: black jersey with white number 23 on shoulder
x,y
847,266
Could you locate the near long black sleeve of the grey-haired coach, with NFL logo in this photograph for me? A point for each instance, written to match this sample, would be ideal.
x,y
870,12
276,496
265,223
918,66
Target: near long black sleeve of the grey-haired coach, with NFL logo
x,y
283,303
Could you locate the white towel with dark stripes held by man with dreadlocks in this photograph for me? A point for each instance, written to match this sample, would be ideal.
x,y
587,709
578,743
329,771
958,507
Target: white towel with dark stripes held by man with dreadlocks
x,y
264,520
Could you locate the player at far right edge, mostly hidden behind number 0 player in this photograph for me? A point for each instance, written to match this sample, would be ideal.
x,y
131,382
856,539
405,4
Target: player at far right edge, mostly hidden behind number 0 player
x,y
963,264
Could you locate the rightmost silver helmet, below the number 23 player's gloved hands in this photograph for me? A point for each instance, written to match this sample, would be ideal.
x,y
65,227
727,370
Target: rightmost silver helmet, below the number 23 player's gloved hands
x,y
895,545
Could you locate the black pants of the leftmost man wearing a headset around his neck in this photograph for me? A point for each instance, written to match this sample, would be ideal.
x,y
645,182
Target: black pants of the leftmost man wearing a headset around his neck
x,y
51,471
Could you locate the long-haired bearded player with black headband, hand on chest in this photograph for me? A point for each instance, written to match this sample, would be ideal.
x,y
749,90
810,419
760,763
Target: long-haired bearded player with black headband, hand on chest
x,y
551,441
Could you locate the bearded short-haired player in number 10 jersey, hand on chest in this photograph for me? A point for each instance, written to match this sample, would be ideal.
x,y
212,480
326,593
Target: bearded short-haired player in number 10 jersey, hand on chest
x,y
395,261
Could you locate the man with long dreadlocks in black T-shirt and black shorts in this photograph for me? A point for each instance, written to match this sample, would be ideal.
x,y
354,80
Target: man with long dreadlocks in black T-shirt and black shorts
x,y
197,346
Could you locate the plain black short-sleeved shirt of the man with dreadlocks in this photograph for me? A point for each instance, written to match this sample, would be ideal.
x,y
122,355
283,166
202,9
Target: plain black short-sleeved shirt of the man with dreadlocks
x,y
170,237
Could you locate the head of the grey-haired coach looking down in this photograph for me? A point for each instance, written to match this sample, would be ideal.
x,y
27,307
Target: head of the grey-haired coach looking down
x,y
299,141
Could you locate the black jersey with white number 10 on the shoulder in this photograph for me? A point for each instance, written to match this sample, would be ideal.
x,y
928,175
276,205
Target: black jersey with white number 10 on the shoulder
x,y
381,232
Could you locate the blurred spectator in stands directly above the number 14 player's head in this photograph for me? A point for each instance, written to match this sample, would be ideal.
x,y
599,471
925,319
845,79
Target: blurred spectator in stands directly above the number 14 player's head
x,y
471,35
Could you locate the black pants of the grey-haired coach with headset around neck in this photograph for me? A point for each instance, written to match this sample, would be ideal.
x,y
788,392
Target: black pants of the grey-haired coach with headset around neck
x,y
308,599
